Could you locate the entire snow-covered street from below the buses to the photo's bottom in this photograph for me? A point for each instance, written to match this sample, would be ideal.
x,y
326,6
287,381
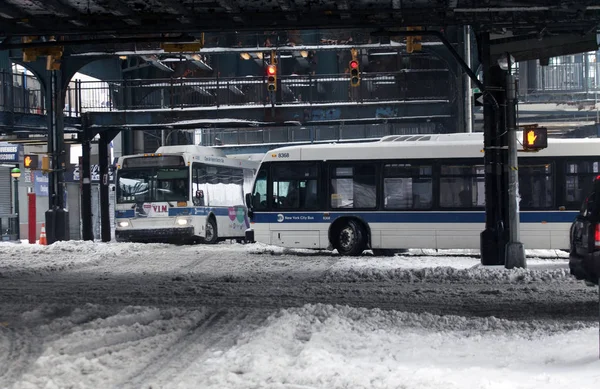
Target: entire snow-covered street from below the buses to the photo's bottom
x,y
89,315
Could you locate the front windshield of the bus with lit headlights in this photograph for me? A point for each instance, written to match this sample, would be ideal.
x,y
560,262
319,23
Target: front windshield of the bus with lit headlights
x,y
154,184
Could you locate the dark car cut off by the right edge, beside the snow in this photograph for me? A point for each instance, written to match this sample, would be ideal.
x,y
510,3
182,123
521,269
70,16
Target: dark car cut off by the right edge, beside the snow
x,y
584,257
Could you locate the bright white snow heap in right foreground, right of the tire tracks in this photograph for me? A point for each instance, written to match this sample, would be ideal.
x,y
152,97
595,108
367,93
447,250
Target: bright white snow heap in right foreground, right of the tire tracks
x,y
321,346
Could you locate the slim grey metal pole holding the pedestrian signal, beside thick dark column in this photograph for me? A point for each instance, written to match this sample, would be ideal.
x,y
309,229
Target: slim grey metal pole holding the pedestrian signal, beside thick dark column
x,y
515,251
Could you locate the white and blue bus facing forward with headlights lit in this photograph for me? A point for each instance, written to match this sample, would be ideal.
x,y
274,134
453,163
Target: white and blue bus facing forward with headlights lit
x,y
182,194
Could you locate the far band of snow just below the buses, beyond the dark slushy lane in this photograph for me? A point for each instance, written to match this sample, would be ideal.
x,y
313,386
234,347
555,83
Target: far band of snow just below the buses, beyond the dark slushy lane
x,y
248,263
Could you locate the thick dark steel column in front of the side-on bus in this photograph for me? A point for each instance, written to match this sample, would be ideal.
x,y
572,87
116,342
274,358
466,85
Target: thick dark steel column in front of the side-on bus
x,y
495,236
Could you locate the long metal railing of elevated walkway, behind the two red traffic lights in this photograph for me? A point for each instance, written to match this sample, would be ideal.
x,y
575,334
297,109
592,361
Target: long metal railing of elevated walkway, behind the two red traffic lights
x,y
83,96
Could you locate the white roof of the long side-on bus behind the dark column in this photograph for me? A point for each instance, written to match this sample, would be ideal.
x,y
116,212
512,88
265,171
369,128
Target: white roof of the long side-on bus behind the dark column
x,y
424,146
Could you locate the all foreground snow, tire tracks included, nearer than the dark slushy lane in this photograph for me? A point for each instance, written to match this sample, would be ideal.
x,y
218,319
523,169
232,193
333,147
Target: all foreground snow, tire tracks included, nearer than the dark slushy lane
x,y
314,346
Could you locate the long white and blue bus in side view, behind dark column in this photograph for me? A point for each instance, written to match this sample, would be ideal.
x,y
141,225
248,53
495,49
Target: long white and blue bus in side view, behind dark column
x,y
411,191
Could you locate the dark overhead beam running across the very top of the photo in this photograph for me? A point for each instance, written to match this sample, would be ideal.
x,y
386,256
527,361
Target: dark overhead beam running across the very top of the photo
x,y
527,19
